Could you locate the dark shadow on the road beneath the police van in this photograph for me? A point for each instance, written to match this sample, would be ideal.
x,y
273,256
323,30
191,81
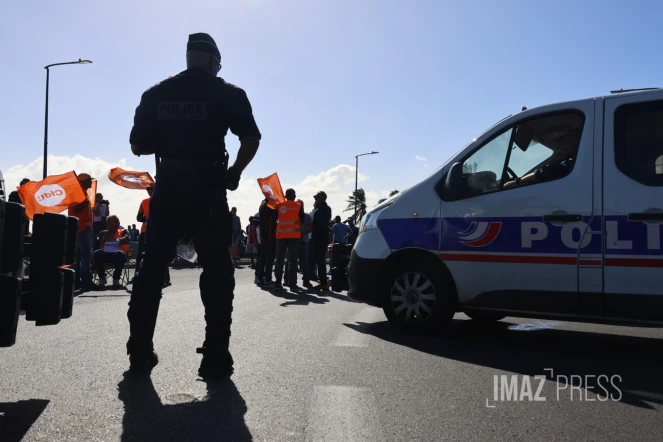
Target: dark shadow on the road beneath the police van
x,y
530,350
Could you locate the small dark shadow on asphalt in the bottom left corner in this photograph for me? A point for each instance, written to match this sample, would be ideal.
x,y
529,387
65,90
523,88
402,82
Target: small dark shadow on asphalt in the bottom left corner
x,y
16,418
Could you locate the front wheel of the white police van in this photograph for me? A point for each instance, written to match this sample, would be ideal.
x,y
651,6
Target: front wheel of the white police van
x,y
440,297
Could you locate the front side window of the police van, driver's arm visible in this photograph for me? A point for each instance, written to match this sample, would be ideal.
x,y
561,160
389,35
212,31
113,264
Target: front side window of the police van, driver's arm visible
x,y
536,150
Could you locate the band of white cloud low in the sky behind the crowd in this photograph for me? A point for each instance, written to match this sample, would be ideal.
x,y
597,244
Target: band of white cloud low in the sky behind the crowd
x,y
338,182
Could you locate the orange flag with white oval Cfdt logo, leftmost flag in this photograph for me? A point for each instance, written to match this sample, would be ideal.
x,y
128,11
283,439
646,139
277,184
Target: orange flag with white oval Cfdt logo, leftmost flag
x,y
54,194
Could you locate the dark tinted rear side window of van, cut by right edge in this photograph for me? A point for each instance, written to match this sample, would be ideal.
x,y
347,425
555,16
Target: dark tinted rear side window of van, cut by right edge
x,y
639,142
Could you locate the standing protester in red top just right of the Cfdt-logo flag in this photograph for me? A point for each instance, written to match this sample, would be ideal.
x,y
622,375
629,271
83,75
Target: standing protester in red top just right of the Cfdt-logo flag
x,y
83,212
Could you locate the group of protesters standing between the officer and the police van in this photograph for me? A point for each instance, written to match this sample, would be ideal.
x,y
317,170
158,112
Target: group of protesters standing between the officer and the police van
x,y
283,240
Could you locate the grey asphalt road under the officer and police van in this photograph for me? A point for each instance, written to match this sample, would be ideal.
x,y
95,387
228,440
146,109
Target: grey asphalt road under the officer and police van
x,y
322,368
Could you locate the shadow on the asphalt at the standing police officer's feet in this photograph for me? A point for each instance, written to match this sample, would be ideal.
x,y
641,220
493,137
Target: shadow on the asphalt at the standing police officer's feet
x,y
218,416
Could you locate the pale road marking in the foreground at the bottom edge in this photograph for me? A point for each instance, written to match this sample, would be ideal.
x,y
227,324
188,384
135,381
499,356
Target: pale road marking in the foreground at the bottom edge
x,y
341,413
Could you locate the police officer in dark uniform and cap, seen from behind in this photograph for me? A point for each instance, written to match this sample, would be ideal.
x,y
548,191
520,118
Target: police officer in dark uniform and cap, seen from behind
x,y
183,121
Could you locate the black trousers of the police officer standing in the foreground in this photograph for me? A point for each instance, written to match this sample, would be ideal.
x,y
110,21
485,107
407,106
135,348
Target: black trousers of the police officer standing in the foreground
x,y
185,202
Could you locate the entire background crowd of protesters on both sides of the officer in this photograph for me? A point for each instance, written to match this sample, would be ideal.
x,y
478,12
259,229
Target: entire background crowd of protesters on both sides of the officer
x,y
281,240
